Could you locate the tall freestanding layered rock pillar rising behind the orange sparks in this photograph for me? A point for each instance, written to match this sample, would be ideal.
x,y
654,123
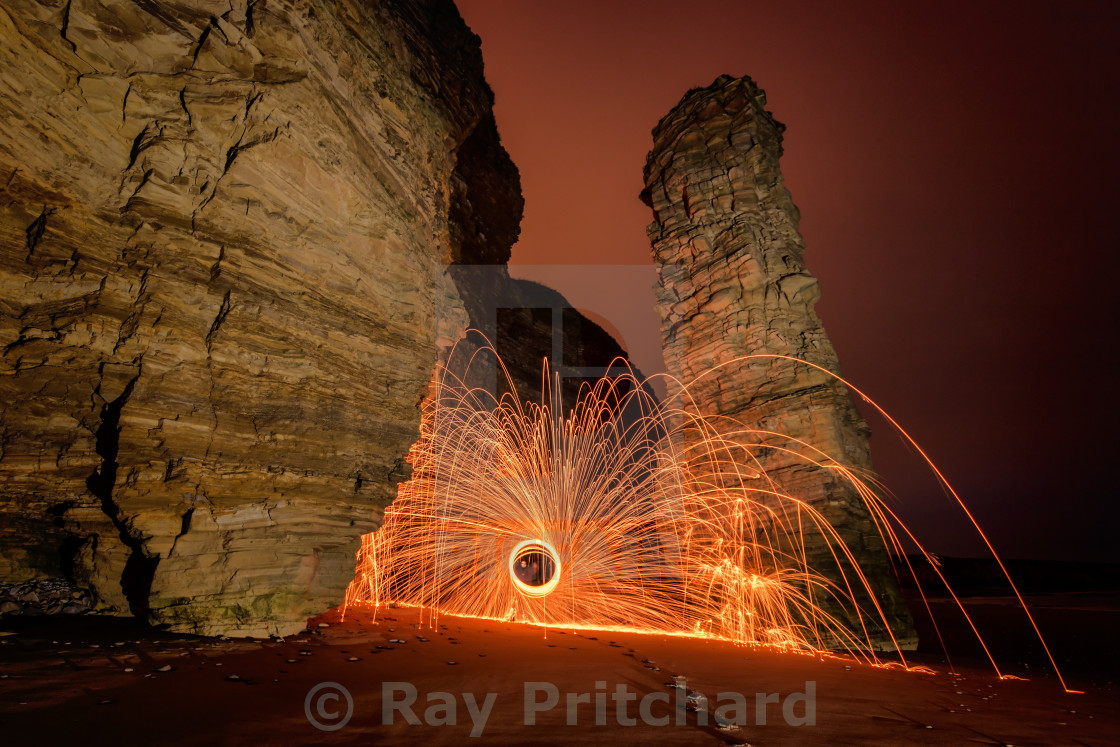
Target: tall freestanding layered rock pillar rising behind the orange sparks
x,y
733,283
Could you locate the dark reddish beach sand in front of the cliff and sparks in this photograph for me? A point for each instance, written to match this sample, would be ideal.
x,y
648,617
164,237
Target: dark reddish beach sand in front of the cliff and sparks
x,y
69,681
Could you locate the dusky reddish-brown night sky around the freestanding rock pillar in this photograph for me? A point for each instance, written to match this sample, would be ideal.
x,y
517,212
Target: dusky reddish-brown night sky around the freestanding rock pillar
x,y
957,166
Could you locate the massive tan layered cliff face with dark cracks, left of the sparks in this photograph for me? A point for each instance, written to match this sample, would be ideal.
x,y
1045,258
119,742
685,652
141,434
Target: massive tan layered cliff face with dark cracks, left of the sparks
x,y
223,237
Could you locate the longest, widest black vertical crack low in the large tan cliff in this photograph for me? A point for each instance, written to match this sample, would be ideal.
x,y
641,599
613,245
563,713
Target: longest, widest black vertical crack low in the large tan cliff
x,y
139,569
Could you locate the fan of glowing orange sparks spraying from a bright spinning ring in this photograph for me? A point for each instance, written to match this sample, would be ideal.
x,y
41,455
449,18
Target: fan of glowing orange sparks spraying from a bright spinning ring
x,y
628,513
